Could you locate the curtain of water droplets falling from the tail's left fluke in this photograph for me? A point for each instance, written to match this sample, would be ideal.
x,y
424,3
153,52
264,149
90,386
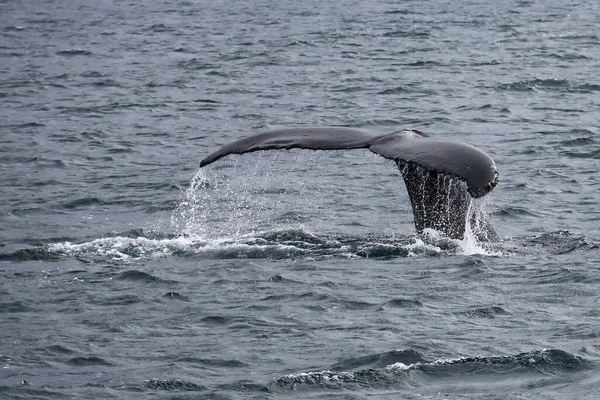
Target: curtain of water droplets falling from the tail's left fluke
x,y
224,202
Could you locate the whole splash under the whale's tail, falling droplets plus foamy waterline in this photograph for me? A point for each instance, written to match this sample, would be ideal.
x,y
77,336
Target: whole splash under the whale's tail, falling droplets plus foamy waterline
x,y
230,214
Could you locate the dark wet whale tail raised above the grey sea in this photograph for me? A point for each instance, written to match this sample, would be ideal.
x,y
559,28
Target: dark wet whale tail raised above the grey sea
x,y
441,177
